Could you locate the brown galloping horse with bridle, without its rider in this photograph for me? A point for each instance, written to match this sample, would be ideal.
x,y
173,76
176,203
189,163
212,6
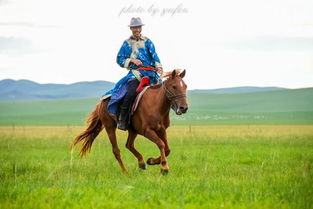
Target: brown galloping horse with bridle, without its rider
x,y
151,119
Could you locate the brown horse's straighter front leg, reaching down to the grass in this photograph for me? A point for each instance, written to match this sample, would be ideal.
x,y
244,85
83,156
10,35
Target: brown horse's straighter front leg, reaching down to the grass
x,y
153,136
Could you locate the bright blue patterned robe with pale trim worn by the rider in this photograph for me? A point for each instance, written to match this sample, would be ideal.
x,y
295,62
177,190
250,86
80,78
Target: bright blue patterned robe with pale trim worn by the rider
x,y
142,49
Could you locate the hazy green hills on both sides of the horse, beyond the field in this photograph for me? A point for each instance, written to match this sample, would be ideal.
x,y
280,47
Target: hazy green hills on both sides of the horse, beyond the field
x,y
269,107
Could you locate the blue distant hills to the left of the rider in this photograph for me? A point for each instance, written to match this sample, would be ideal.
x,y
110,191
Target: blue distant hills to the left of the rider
x,y
16,90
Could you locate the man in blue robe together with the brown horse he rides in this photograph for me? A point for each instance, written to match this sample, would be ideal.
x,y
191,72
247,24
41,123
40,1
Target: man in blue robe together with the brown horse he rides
x,y
152,117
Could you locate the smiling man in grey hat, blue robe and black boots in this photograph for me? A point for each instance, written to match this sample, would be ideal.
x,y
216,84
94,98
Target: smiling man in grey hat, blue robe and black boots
x,y
138,55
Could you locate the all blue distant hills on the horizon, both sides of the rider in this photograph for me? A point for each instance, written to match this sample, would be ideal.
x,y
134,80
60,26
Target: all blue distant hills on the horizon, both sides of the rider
x,y
26,90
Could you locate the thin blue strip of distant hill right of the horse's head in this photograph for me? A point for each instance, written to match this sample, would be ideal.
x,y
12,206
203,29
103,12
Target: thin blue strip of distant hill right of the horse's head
x,y
237,90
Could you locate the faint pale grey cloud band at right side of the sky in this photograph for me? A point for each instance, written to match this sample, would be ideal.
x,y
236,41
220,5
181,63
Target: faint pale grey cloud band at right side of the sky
x,y
269,43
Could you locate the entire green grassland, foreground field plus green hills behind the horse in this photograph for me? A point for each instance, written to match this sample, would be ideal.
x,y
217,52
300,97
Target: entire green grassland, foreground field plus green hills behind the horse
x,y
249,150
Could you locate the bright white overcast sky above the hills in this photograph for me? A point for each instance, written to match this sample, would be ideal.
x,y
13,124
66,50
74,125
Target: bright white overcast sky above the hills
x,y
222,43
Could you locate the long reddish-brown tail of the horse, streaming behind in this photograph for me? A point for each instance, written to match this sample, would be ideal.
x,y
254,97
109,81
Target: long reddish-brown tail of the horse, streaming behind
x,y
95,126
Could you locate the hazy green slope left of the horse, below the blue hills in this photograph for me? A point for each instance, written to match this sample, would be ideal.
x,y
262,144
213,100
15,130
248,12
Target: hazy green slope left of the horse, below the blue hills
x,y
47,112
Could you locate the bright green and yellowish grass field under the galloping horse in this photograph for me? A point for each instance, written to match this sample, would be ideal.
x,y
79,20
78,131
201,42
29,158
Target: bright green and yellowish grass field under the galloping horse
x,y
236,166
